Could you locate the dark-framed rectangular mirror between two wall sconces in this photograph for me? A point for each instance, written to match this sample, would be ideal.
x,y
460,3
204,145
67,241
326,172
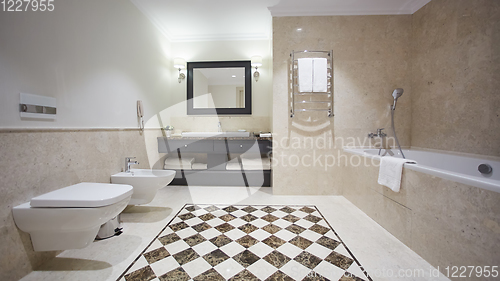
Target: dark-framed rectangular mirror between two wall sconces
x,y
219,87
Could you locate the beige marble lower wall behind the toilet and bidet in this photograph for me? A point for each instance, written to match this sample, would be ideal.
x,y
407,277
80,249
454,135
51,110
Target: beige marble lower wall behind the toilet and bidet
x,y
37,162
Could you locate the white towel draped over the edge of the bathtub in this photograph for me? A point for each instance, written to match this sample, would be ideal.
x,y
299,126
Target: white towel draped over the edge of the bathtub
x,y
390,172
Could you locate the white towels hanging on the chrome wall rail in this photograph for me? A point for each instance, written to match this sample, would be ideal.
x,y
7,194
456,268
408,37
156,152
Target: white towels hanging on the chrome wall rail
x,y
312,75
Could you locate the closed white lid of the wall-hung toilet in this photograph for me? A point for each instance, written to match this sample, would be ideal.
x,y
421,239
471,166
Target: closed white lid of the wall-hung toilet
x,y
83,195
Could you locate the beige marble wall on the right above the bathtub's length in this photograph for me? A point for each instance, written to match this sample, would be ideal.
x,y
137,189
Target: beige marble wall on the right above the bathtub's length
x,y
456,77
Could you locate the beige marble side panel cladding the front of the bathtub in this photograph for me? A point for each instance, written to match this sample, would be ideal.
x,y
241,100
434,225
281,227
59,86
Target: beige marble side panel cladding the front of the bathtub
x,y
447,223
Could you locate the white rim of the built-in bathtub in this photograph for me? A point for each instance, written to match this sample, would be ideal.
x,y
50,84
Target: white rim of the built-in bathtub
x,y
491,185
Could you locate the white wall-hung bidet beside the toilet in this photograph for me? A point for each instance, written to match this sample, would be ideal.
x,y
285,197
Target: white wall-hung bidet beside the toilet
x,y
145,182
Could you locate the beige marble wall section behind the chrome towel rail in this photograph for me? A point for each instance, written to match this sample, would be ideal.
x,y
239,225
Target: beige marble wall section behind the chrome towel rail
x,y
371,58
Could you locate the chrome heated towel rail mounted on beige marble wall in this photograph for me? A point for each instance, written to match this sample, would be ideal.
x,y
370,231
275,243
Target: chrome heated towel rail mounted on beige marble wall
x,y
310,99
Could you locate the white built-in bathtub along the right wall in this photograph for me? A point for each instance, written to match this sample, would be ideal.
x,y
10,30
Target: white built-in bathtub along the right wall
x,y
462,169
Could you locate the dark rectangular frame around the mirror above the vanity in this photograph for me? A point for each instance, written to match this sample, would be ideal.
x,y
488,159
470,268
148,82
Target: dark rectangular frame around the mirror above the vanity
x,y
220,111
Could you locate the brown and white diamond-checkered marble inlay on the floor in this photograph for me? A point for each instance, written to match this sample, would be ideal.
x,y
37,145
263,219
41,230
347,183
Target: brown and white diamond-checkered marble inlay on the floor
x,y
247,243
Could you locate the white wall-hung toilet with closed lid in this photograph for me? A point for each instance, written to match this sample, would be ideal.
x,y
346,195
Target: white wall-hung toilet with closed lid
x,y
70,217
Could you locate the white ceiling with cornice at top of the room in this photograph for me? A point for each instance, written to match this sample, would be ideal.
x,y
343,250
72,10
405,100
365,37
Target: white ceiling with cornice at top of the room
x,y
203,20
